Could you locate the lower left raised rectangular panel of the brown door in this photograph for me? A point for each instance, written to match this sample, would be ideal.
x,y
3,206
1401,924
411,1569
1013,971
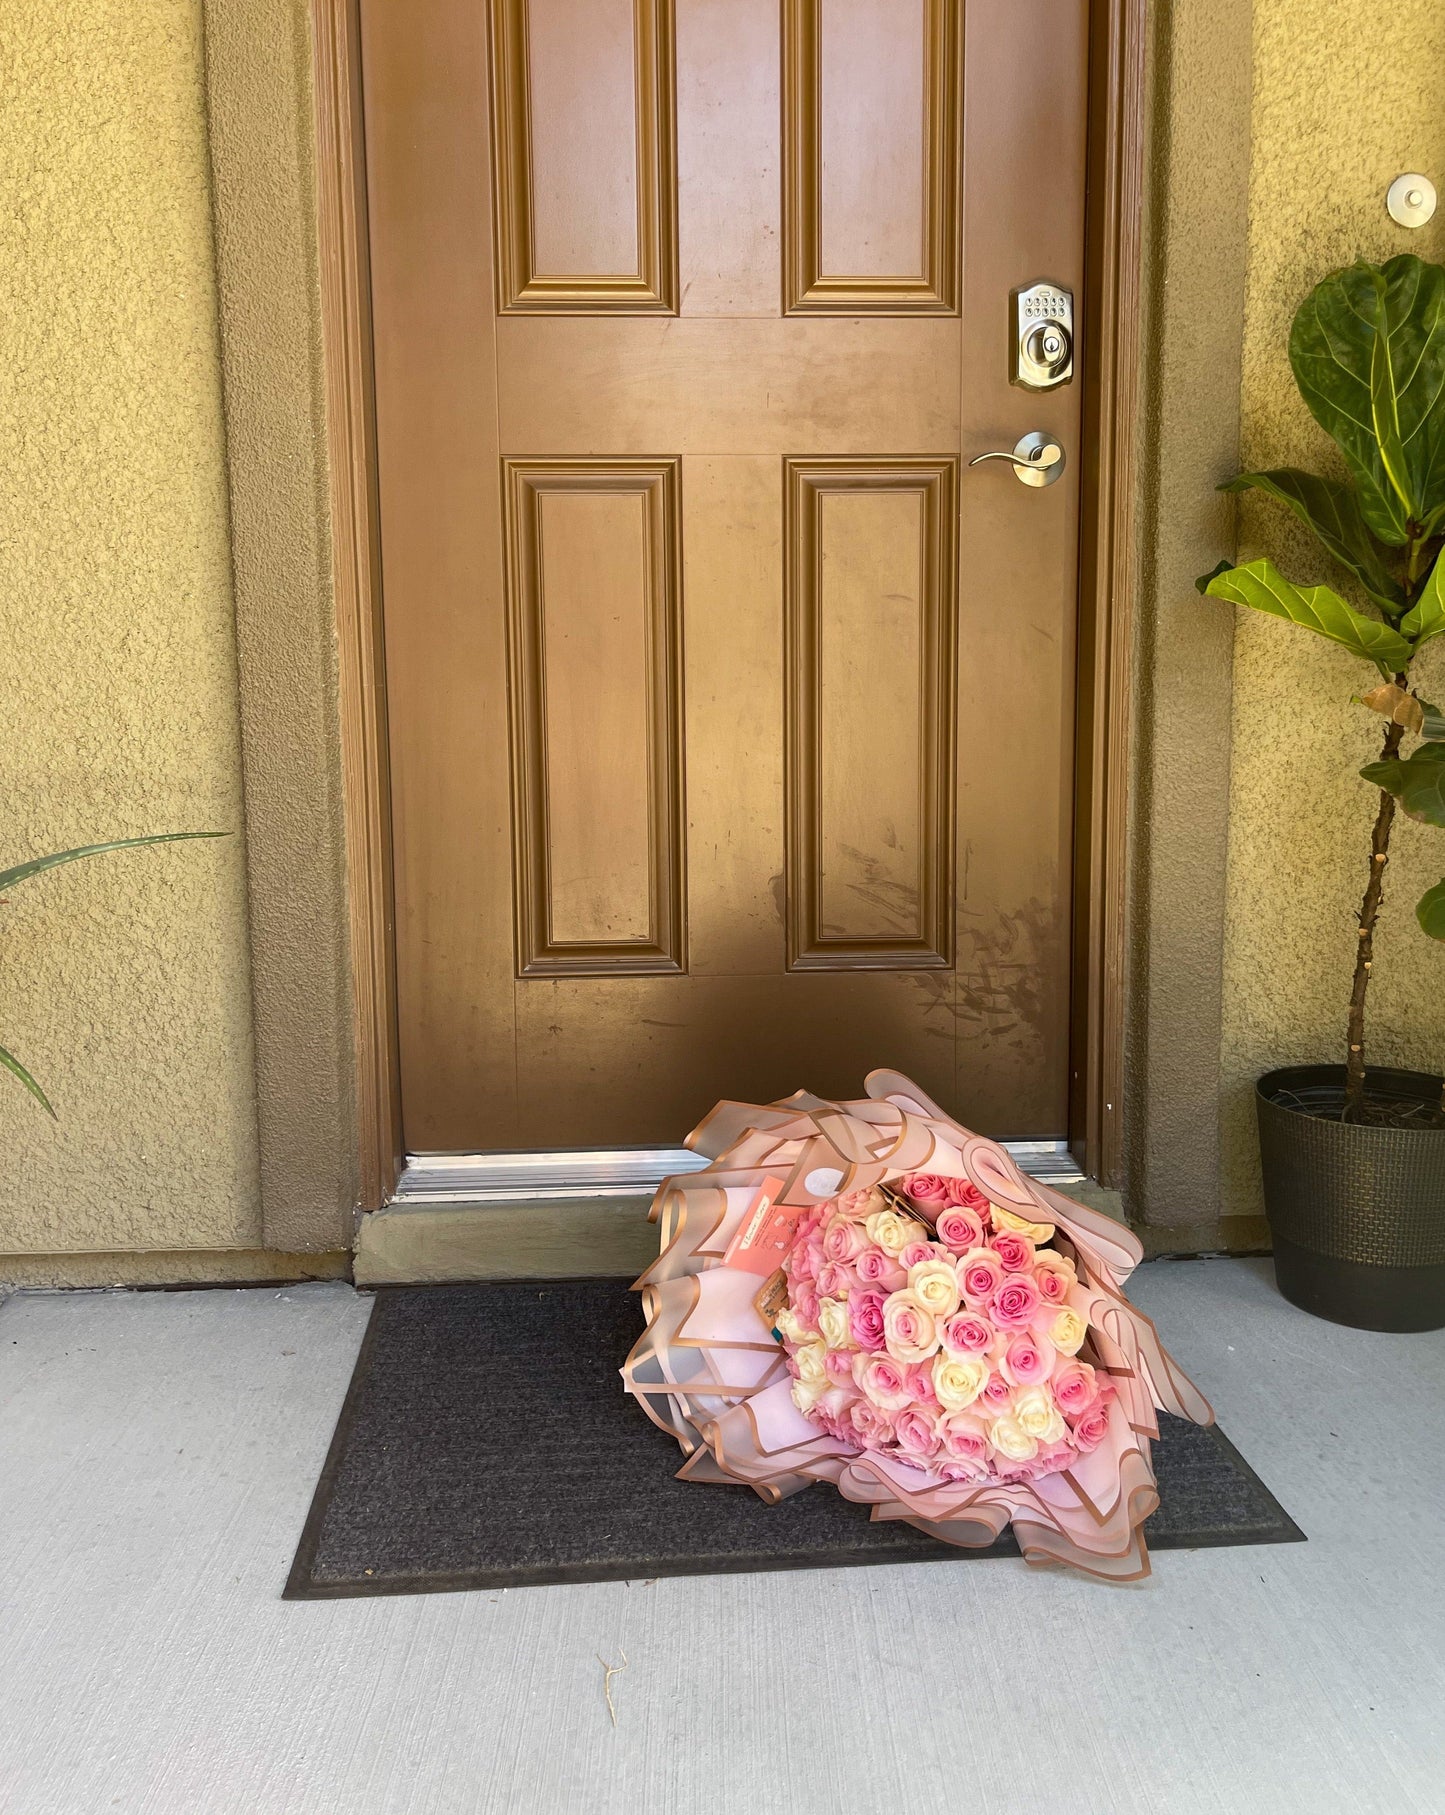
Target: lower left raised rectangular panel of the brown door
x,y
596,718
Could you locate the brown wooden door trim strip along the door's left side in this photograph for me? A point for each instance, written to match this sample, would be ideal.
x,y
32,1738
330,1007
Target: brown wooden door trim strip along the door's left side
x,y
357,582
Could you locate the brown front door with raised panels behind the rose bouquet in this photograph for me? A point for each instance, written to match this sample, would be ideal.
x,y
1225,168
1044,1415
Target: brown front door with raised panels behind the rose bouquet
x,y
731,712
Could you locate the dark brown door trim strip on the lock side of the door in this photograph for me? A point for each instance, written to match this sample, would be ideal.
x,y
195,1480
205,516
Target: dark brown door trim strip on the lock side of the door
x,y
1106,582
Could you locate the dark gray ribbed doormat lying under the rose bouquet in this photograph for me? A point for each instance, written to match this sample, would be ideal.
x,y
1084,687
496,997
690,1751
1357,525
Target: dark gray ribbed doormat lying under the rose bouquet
x,y
487,1444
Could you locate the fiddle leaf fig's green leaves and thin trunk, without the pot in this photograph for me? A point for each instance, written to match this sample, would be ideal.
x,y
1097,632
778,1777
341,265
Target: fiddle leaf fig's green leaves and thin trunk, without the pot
x,y
1368,349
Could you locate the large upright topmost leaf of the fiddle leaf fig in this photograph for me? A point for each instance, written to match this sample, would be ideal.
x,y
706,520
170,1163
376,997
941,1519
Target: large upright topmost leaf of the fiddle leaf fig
x,y
1368,349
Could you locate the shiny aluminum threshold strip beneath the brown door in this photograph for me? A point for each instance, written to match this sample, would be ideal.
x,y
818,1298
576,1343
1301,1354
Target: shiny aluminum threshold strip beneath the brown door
x,y
614,1173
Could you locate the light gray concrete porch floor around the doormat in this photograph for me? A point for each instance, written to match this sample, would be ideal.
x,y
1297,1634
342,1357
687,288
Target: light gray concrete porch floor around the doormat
x,y
159,1453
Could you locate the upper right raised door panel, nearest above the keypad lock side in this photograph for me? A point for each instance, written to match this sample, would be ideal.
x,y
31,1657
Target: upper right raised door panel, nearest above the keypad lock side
x,y
870,95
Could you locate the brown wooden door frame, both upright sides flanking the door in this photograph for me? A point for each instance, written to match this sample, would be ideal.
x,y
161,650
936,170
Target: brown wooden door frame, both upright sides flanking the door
x,y
1106,607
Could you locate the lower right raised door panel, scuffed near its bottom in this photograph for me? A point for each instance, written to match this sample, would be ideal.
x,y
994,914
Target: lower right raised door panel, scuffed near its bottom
x,y
872,603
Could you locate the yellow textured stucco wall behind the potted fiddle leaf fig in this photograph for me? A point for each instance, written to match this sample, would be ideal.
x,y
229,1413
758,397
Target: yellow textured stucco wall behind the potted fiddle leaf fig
x,y
1346,97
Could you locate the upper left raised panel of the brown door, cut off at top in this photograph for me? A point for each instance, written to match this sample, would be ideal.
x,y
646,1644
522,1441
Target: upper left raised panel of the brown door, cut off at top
x,y
585,157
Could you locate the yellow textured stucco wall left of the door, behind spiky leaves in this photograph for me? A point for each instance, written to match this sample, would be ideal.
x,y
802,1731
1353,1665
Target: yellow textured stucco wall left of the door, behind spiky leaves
x,y
124,981
